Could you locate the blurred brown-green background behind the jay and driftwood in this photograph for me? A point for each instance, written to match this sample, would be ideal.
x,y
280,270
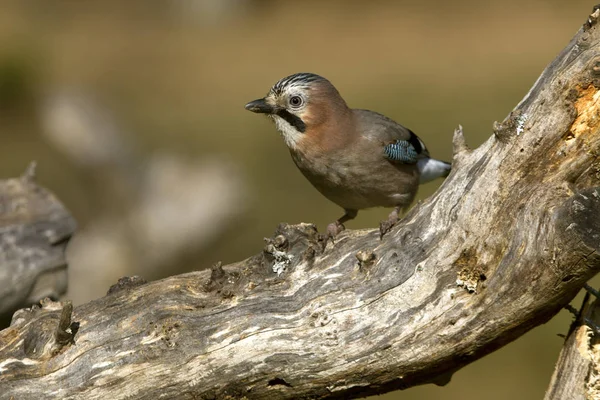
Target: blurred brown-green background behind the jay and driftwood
x,y
135,113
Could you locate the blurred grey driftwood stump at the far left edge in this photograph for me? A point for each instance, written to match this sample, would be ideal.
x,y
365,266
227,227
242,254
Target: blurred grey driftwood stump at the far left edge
x,y
34,230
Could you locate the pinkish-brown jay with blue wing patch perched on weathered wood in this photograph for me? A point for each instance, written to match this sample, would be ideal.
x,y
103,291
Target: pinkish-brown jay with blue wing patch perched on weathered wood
x,y
356,158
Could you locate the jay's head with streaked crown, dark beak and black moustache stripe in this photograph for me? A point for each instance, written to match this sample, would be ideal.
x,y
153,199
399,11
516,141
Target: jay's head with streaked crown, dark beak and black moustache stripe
x,y
302,105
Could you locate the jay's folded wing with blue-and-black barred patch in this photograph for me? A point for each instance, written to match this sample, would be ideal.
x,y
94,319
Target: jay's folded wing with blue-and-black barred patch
x,y
400,144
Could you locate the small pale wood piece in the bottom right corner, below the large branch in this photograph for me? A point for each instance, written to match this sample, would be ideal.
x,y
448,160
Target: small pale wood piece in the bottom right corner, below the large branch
x,y
577,372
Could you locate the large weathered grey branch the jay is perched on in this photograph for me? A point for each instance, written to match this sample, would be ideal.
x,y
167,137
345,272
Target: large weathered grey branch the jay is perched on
x,y
507,241
